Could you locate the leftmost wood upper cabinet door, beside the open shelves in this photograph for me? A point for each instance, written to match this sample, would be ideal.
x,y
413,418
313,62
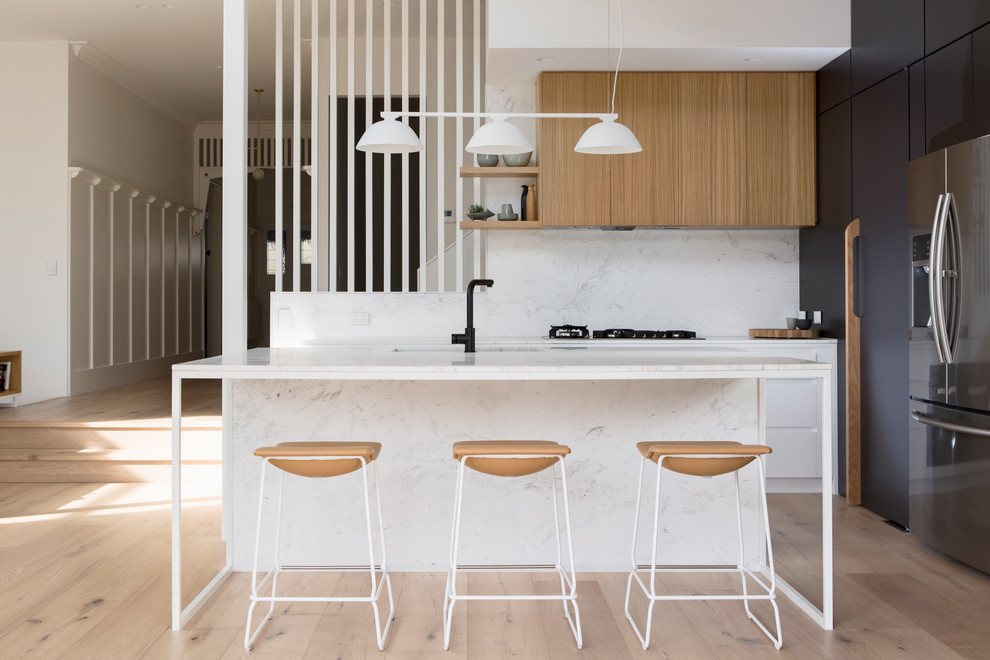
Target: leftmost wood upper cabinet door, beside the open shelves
x,y
574,188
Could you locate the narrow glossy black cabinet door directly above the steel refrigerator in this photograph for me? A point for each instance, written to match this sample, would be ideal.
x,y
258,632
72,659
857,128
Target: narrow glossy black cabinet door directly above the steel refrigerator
x,y
949,95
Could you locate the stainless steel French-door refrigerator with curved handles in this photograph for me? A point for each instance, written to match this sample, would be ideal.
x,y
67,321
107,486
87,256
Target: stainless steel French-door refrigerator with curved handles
x,y
949,406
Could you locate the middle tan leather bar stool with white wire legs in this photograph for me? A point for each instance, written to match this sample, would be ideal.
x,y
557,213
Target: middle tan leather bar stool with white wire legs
x,y
514,459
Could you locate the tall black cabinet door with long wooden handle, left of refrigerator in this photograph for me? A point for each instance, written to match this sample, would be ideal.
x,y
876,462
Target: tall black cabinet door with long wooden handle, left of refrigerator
x,y
880,137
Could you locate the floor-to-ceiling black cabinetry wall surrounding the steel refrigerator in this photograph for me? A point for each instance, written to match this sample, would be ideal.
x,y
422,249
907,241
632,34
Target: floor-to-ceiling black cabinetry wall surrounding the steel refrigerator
x,y
916,79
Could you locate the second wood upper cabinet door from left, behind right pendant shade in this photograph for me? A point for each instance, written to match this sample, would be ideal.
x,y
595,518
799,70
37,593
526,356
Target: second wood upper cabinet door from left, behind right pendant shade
x,y
646,186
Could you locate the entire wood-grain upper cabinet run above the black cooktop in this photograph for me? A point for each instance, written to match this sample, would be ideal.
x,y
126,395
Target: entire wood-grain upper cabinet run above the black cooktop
x,y
719,149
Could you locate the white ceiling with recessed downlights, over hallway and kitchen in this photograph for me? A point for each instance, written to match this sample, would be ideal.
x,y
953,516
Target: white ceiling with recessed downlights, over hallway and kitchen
x,y
170,57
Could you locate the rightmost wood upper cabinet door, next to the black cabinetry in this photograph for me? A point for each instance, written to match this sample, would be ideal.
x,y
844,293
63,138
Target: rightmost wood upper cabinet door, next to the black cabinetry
x,y
780,149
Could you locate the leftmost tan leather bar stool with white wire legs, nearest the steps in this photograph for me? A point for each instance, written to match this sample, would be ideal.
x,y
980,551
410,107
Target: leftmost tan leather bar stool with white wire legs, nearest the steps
x,y
321,460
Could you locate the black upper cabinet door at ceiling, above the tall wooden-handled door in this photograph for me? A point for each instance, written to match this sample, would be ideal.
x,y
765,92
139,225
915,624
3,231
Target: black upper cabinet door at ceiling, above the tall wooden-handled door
x,y
887,36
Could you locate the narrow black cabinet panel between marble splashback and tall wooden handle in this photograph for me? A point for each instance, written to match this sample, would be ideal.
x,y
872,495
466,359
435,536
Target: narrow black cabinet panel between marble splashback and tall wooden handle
x,y
822,247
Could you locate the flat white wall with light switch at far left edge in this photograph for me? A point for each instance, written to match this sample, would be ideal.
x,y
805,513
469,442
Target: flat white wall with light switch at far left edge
x,y
33,200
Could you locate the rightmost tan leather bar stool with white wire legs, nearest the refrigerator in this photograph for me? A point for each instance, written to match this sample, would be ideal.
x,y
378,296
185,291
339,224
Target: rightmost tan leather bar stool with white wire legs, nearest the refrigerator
x,y
703,459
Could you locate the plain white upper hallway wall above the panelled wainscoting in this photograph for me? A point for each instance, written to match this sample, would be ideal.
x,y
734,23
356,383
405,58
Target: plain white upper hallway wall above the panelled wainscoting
x,y
114,132
